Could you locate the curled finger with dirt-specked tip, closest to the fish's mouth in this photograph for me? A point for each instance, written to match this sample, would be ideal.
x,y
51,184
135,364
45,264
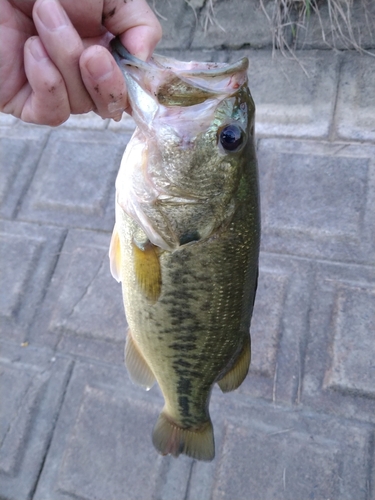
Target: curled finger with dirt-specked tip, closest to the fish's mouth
x,y
104,81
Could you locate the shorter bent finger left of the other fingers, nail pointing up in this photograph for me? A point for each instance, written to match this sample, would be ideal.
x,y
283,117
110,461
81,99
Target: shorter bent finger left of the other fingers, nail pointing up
x,y
44,100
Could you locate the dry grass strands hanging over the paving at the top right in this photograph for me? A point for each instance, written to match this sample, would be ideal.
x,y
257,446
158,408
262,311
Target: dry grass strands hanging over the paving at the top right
x,y
335,23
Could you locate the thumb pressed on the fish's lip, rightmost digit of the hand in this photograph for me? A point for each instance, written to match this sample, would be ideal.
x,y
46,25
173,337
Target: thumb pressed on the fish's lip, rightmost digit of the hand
x,y
138,26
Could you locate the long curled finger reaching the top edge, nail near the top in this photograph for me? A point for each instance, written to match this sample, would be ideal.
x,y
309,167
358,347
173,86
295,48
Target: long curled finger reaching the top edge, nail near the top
x,y
64,47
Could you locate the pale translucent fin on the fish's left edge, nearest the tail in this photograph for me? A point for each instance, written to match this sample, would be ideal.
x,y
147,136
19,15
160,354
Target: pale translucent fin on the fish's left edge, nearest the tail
x,y
139,371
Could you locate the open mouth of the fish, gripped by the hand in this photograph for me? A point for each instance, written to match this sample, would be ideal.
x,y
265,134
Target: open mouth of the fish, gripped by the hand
x,y
176,83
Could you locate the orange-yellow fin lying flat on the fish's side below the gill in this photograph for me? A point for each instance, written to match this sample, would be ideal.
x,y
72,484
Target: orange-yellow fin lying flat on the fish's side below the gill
x,y
147,270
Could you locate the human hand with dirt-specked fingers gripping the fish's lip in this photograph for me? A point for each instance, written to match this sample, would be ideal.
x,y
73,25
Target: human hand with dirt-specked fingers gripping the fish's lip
x,y
54,59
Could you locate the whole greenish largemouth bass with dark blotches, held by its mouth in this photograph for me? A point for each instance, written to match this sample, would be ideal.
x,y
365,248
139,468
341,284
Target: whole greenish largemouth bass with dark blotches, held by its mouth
x,y
185,244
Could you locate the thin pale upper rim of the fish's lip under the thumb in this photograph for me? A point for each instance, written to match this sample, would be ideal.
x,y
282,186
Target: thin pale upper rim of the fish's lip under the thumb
x,y
123,57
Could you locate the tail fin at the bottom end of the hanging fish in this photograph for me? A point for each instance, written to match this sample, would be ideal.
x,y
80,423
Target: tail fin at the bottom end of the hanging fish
x,y
168,437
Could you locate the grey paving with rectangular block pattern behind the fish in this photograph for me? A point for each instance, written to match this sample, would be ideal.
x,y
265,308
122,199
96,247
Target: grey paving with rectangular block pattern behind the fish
x,y
301,427
